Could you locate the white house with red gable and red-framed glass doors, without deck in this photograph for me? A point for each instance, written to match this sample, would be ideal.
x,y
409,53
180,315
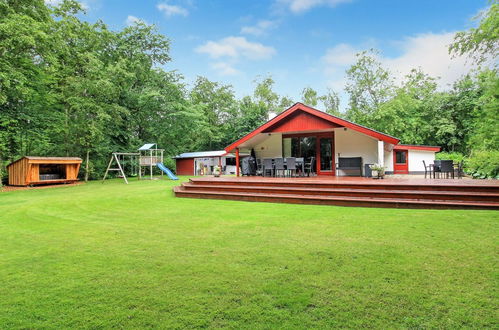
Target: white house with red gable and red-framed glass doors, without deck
x,y
302,131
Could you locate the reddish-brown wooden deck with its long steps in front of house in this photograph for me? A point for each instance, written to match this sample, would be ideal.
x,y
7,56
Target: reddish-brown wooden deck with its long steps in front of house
x,y
349,191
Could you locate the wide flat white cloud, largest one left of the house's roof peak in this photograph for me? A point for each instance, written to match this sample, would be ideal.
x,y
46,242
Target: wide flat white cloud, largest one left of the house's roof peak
x,y
236,47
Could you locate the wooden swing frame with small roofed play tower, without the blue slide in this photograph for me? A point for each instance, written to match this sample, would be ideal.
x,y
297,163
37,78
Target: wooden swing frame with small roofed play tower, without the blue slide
x,y
147,157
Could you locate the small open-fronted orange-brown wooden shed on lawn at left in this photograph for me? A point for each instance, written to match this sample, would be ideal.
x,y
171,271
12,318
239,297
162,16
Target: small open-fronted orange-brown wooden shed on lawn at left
x,y
32,170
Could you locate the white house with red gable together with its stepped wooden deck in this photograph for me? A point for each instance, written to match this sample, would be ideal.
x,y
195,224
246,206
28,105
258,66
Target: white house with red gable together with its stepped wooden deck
x,y
304,132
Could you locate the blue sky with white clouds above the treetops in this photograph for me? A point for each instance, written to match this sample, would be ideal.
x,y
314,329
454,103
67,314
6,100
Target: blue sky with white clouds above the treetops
x,y
298,42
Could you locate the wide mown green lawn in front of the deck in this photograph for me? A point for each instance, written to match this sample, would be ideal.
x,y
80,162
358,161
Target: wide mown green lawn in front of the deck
x,y
116,255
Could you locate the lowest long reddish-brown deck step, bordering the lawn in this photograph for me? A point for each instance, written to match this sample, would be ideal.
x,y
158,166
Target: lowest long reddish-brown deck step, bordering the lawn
x,y
181,191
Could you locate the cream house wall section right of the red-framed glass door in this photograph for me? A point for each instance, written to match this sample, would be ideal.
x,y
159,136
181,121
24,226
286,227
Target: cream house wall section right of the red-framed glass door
x,y
349,143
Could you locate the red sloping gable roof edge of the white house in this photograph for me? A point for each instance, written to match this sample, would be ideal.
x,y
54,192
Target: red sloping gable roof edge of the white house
x,y
335,122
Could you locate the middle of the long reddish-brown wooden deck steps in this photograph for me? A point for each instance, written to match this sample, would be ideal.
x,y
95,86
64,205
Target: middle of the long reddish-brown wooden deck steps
x,y
358,192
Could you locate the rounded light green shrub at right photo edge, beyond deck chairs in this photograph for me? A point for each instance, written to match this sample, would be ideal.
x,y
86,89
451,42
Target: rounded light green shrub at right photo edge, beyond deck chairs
x,y
483,164
